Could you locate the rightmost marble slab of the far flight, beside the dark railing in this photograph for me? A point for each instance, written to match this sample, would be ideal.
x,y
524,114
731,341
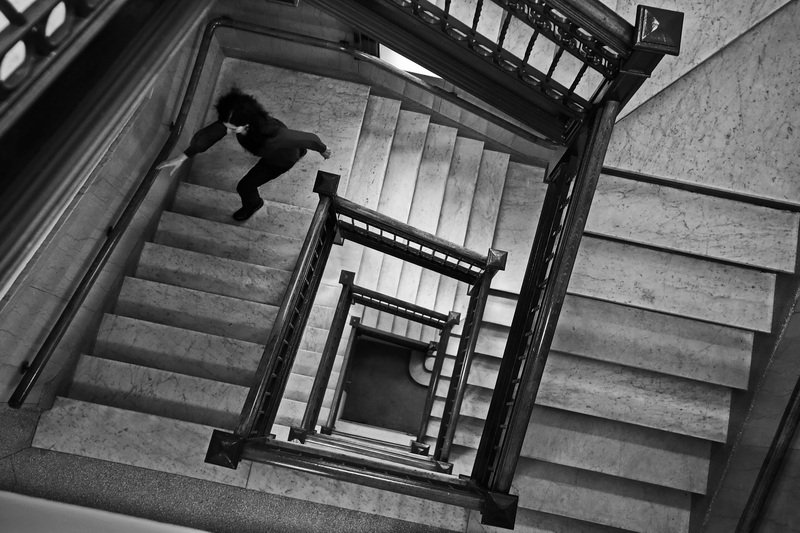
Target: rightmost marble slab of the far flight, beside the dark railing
x,y
516,224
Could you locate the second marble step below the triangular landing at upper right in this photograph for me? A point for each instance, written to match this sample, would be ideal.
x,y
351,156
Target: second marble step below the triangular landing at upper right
x,y
674,284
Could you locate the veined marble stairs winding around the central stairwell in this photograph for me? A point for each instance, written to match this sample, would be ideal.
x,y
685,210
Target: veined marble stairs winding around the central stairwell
x,y
668,291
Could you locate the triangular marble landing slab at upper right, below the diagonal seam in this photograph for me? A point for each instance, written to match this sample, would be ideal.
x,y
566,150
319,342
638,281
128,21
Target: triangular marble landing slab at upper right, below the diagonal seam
x,y
727,124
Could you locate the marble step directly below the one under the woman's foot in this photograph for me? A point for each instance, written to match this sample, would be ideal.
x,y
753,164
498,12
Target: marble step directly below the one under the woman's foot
x,y
227,241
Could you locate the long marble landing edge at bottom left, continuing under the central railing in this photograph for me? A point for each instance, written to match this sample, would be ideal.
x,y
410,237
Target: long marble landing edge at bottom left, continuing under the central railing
x,y
177,447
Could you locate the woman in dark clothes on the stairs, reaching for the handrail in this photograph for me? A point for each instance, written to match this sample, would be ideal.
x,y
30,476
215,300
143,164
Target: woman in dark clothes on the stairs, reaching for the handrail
x,y
260,134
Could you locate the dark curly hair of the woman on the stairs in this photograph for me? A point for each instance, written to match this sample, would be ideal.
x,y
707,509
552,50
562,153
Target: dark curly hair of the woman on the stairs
x,y
242,109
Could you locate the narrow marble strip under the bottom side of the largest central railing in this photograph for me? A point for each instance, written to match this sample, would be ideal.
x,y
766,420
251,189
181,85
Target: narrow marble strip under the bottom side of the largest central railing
x,y
318,489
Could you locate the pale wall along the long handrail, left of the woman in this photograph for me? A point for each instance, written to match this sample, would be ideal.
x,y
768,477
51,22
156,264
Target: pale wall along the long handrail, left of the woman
x,y
42,290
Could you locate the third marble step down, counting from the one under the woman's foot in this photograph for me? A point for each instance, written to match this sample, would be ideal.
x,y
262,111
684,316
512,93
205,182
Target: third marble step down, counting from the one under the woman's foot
x,y
226,277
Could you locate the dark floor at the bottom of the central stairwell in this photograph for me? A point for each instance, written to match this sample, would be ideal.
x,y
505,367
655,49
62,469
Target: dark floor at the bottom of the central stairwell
x,y
380,391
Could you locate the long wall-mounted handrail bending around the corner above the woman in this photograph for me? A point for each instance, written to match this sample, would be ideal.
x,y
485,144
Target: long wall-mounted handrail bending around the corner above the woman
x,y
34,370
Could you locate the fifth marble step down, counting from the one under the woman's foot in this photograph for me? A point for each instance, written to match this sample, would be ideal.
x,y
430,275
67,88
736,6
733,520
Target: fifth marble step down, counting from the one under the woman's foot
x,y
178,350
